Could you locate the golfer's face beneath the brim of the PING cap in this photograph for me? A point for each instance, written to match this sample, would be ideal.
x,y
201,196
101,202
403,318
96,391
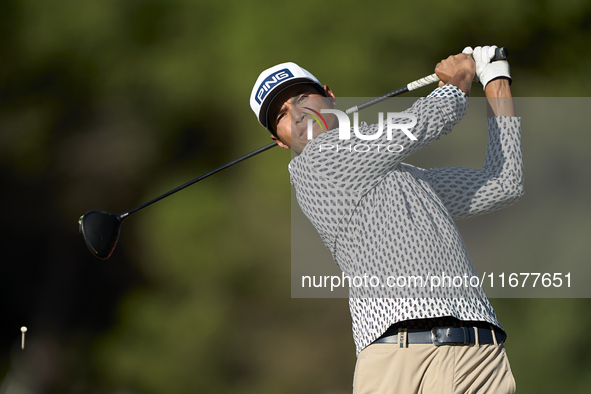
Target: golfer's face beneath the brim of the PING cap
x,y
290,110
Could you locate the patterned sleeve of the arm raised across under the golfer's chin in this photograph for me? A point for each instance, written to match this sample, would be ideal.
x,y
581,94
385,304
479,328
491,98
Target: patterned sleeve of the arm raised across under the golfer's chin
x,y
342,161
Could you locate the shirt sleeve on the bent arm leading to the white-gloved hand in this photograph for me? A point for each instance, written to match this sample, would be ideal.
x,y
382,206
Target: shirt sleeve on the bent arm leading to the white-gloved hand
x,y
467,192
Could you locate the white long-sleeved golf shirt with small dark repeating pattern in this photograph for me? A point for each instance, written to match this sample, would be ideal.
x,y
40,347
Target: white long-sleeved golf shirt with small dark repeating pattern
x,y
385,219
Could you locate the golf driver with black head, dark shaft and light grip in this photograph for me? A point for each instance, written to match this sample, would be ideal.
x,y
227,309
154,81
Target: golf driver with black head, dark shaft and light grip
x,y
101,229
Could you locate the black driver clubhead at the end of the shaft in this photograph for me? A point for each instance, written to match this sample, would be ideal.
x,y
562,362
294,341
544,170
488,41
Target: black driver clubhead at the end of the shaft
x,y
100,230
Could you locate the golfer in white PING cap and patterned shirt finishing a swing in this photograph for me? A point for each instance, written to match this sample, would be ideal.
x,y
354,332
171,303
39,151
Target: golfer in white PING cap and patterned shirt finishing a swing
x,y
382,218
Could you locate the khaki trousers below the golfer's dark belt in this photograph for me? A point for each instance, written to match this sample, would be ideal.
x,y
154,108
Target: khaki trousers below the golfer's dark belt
x,y
426,368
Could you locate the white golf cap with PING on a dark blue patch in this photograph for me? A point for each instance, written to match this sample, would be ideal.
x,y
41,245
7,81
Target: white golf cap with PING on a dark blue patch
x,y
273,81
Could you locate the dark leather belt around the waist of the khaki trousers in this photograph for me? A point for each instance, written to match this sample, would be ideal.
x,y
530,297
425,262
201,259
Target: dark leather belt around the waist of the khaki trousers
x,y
443,336
